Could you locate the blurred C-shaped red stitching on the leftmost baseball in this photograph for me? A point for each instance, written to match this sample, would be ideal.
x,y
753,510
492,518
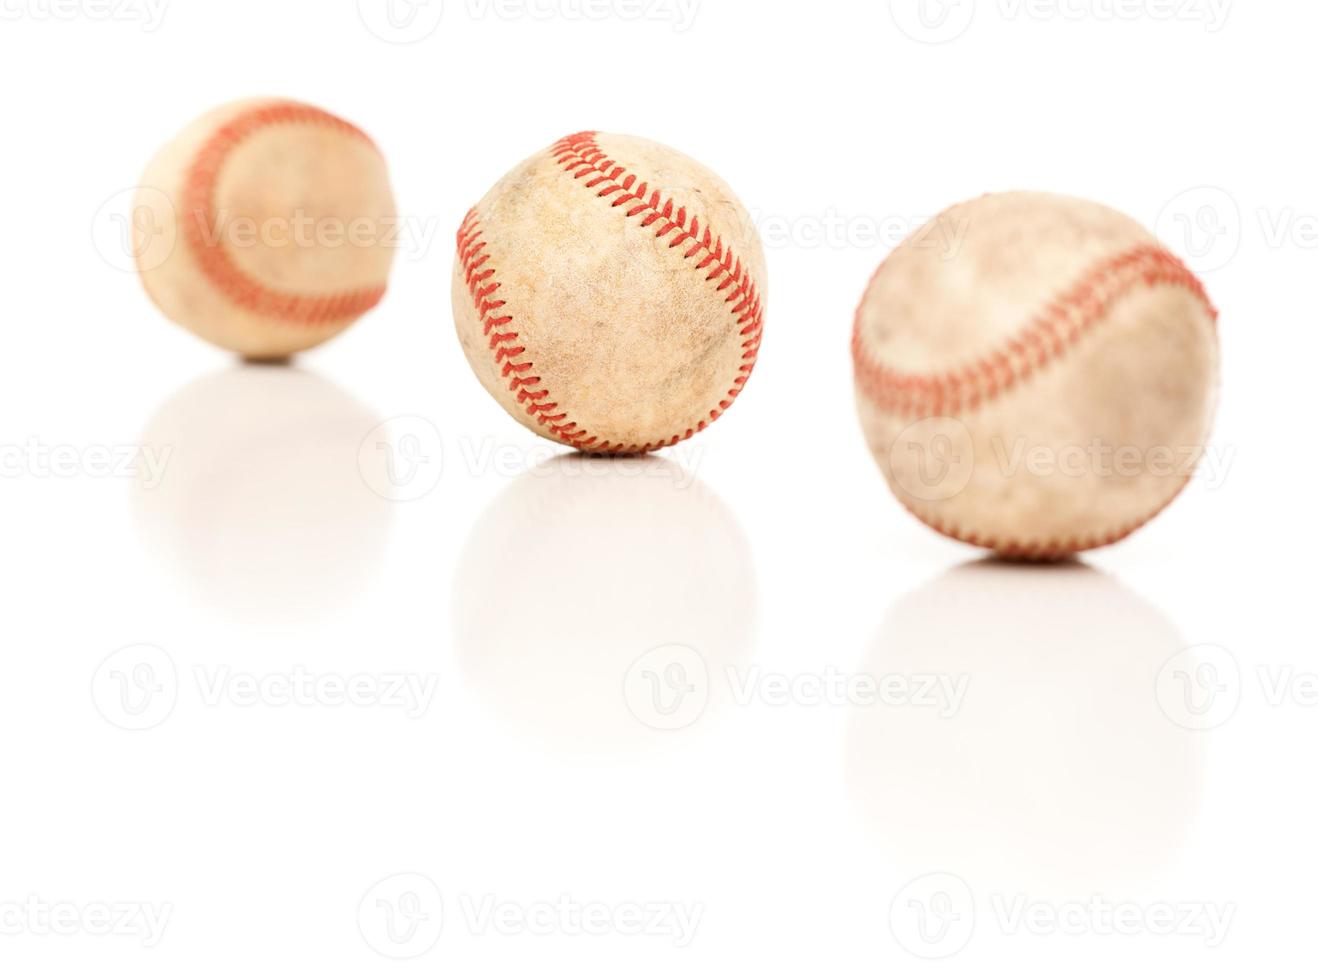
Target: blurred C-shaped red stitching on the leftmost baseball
x,y
218,265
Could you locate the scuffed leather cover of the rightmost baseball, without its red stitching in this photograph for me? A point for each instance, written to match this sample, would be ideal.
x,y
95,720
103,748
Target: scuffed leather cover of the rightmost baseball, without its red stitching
x,y
1143,377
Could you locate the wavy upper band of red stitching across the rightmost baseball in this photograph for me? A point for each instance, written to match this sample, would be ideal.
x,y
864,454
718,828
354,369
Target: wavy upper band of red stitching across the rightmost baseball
x,y
1047,338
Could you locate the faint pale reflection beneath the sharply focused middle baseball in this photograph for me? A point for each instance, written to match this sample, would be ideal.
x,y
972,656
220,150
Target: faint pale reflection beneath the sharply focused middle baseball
x,y
592,593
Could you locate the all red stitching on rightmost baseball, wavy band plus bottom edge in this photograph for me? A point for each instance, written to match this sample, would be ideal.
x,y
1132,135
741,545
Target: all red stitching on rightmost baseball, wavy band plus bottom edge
x,y
1048,338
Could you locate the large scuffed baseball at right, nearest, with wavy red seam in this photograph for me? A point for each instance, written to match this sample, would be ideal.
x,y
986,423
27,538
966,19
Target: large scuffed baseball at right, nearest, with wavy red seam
x,y
1046,389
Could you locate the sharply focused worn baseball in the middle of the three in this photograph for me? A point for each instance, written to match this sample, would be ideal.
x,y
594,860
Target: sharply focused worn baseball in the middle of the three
x,y
610,294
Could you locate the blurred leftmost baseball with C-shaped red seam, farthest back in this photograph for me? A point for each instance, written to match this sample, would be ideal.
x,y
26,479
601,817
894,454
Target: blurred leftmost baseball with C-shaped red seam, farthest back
x,y
266,227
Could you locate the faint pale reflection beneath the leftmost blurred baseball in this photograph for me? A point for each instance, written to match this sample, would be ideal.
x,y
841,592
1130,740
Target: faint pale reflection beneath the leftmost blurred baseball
x,y
262,506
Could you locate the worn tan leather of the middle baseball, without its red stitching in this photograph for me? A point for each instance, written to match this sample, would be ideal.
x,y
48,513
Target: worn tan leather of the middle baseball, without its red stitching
x,y
629,339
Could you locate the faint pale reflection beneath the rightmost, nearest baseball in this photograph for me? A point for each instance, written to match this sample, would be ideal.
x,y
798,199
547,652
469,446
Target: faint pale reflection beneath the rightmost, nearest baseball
x,y
1059,771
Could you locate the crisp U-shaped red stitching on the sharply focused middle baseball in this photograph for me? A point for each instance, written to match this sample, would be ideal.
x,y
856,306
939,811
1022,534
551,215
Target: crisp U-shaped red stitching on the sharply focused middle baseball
x,y
582,157
